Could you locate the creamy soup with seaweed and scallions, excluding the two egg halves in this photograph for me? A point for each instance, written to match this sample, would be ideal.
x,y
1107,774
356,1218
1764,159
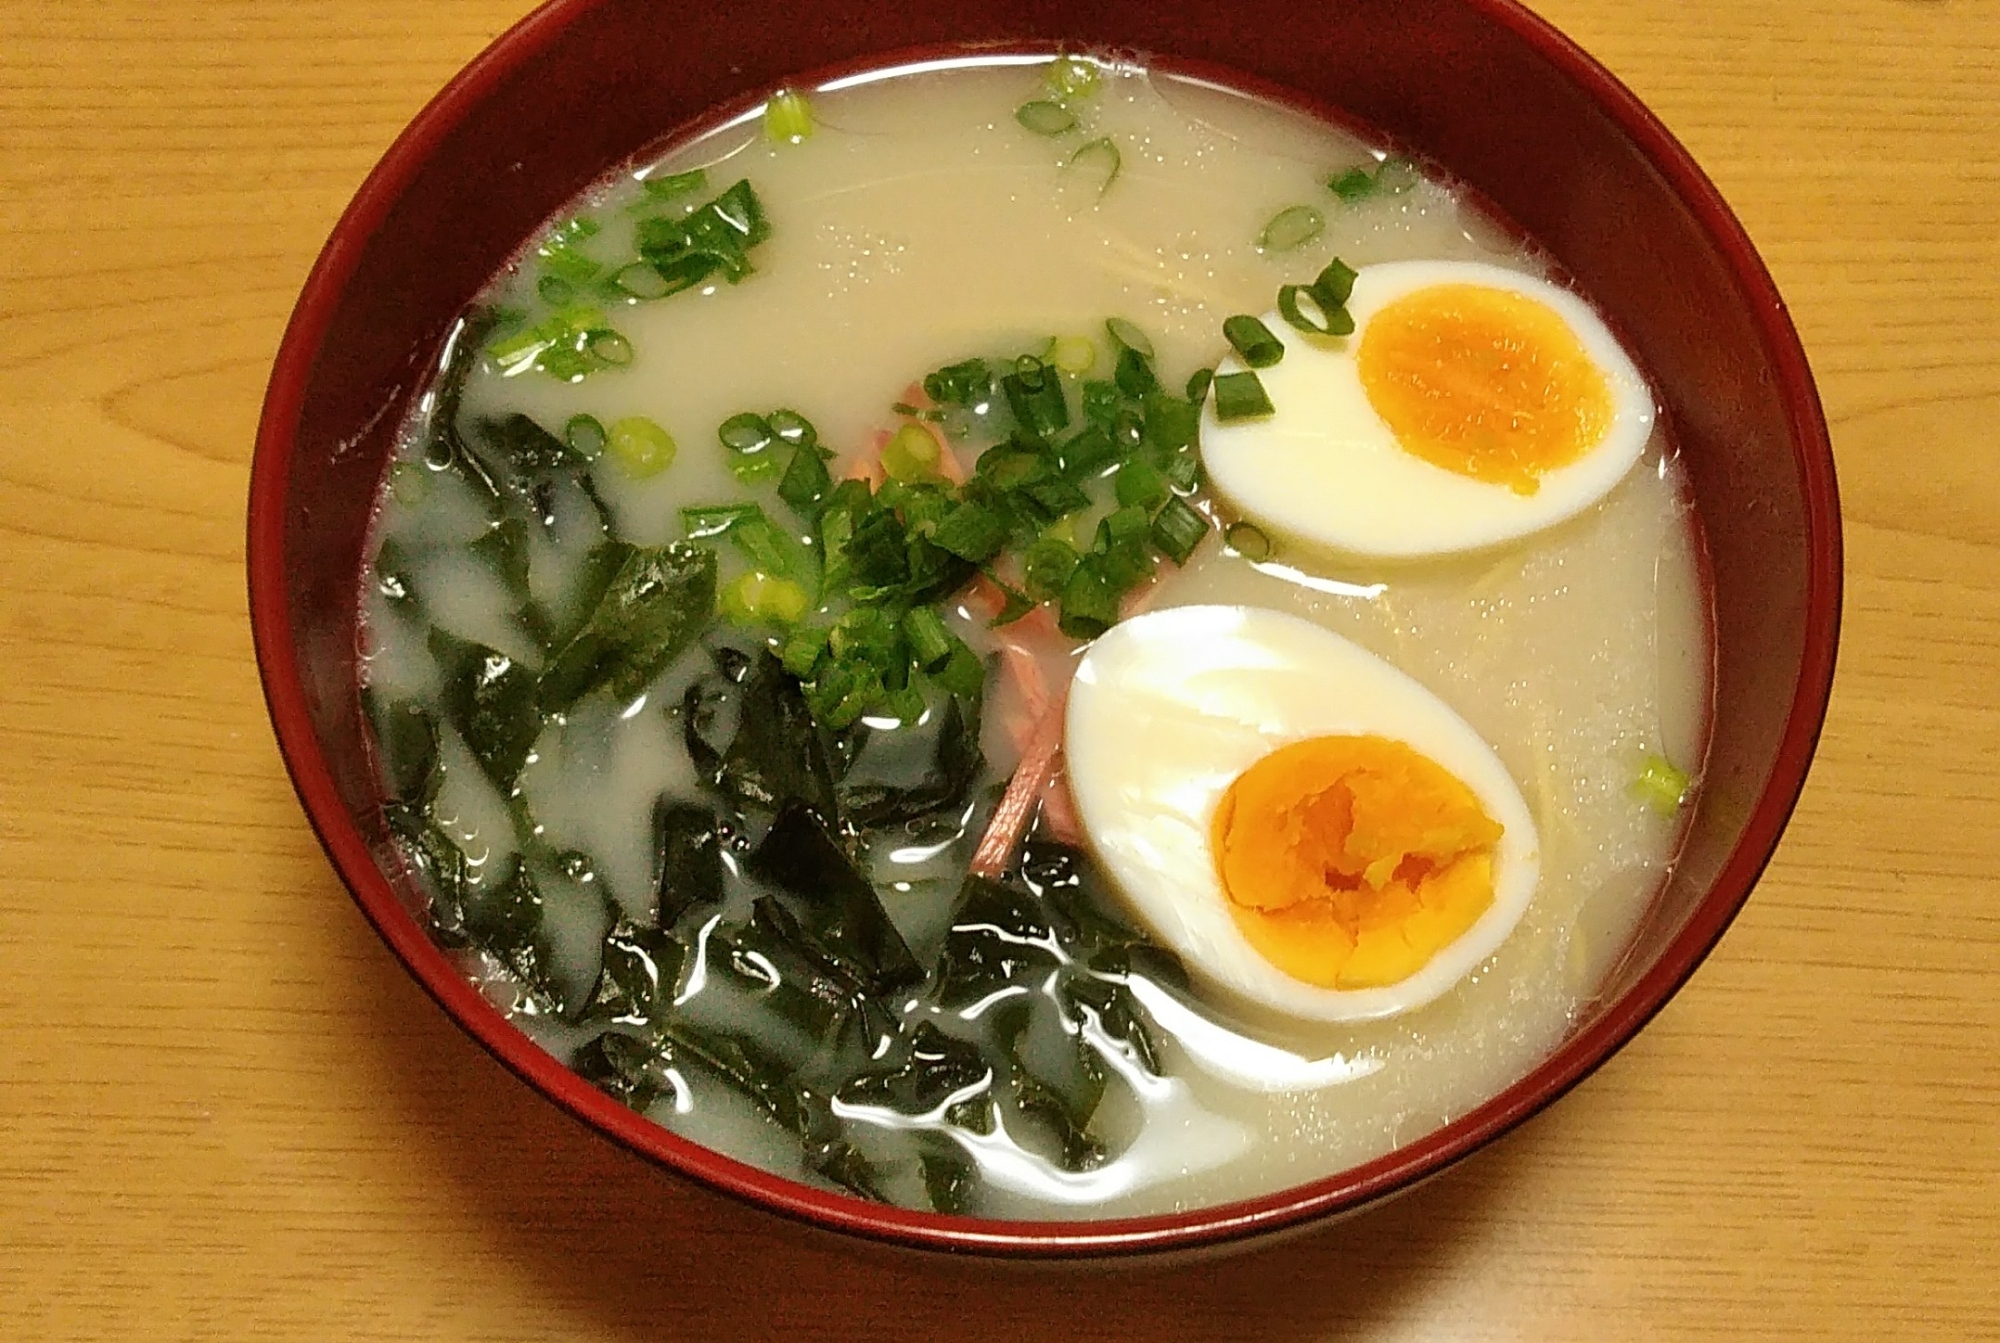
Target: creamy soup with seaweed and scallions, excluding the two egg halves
x,y
805,920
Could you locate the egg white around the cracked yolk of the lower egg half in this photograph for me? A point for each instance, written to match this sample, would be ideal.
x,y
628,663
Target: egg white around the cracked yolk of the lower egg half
x,y
1171,706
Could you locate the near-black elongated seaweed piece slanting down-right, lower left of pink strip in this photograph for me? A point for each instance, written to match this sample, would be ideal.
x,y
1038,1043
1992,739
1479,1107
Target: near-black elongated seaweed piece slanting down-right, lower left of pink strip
x,y
833,900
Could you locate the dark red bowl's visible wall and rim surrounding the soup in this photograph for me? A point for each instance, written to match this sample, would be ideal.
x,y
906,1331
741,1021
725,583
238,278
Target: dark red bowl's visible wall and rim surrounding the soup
x,y
1479,87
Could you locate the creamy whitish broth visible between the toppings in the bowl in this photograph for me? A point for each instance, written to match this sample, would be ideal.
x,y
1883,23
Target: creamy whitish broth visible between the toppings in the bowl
x,y
921,225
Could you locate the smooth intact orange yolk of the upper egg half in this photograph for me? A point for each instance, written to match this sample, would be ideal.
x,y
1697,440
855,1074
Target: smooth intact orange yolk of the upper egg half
x,y
1483,383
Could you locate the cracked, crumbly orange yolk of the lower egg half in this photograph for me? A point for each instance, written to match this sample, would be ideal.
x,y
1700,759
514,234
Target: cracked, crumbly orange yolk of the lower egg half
x,y
1349,862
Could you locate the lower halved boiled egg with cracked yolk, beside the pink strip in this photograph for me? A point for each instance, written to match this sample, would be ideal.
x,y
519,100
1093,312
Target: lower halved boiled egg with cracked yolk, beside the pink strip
x,y
1307,826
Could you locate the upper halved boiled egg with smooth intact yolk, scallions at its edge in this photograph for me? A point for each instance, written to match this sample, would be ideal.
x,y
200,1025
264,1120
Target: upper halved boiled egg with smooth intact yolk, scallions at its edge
x,y
1471,407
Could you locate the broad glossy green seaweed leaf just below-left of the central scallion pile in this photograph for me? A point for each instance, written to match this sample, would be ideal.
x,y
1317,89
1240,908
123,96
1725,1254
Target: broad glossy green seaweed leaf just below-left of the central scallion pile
x,y
651,611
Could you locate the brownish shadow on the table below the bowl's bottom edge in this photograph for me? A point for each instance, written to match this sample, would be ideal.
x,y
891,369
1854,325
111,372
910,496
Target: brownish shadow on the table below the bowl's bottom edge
x,y
651,1256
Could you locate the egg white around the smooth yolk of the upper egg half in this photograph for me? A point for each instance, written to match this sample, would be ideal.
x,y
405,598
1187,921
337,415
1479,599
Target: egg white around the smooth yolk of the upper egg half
x,y
1329,471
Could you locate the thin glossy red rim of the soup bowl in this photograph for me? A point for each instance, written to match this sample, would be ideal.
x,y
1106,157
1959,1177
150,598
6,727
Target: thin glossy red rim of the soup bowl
x,y
1349,1190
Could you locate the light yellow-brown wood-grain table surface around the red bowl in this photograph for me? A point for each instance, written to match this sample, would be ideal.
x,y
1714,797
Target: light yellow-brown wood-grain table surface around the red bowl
x,y
231,1116
